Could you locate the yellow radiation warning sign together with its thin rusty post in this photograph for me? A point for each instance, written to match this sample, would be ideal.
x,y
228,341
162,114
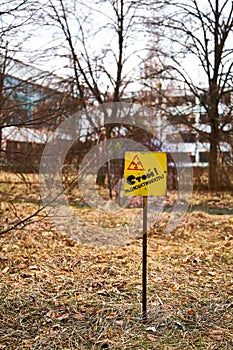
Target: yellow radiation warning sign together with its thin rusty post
x,y
145,174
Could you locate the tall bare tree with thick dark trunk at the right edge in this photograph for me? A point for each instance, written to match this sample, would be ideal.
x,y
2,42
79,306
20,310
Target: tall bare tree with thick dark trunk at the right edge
x,y
201,33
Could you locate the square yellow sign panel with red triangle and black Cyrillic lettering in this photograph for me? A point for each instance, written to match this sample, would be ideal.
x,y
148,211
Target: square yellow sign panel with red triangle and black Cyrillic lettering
x,y
145,174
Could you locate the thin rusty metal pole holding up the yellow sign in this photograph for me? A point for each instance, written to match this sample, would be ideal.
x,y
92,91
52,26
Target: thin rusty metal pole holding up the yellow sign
x,y
144,261
